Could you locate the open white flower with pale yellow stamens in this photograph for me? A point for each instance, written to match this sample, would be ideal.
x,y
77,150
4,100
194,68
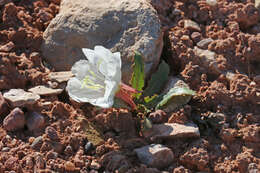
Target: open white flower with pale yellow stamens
x,y
97,79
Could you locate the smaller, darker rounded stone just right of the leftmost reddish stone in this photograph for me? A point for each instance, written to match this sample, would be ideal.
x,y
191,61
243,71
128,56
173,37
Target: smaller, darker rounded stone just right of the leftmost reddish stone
x,y
34,121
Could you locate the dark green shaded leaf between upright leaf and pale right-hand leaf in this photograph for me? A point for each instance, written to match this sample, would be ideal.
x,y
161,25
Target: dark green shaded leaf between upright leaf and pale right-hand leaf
x,y
158,80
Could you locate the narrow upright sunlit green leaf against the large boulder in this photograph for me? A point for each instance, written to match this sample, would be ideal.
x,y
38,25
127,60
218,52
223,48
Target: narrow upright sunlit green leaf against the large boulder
x,y
137,80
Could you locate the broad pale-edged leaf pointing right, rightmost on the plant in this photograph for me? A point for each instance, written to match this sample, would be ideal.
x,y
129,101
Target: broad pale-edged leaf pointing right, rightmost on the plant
x,y
176,97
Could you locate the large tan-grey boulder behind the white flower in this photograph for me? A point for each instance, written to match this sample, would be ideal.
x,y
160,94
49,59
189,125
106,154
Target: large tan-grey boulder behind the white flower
x,y
123,26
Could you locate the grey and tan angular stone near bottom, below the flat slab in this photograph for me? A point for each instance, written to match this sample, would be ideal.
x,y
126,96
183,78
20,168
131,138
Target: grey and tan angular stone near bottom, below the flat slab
x,y
155,155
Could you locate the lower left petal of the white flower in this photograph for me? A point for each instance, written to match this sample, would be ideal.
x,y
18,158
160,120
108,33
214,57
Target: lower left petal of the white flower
x,y
82,94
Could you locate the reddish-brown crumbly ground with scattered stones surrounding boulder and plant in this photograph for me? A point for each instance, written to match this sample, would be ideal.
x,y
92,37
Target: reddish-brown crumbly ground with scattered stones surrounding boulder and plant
x,y
214,48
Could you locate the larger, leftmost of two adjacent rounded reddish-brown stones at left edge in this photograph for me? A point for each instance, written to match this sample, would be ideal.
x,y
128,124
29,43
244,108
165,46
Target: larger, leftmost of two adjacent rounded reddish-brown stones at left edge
x,y
15,120
